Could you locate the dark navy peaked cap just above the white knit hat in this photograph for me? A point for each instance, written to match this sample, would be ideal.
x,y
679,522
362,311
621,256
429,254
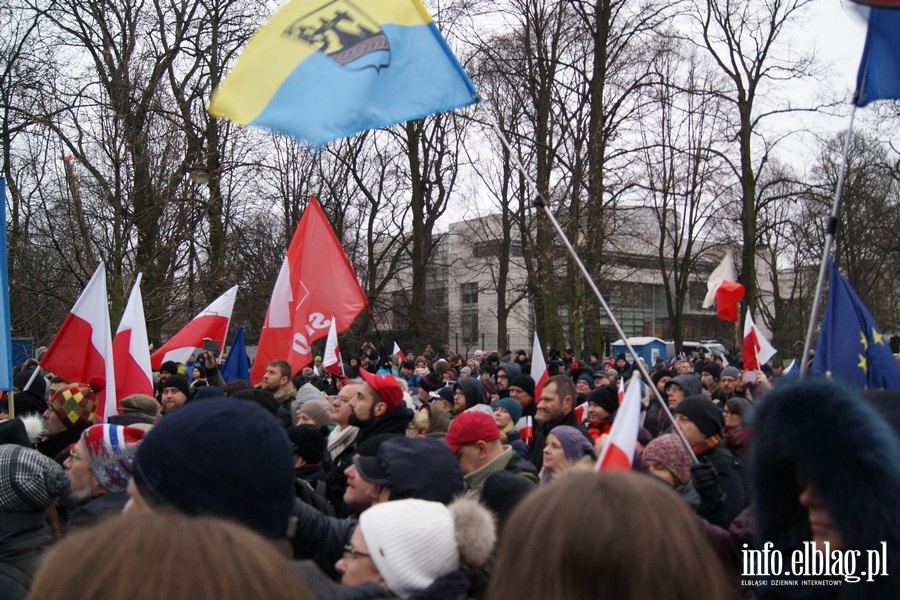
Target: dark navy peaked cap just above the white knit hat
x,y
423,468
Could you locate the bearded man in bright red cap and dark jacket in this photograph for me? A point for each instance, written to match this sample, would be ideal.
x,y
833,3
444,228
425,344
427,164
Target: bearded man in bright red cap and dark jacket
x,y
379,407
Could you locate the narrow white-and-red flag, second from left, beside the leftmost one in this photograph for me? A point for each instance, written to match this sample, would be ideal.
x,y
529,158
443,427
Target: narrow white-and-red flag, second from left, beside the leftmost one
x,y
131,351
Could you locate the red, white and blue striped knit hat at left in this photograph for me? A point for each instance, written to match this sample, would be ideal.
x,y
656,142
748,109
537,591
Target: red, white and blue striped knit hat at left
x,y
110,452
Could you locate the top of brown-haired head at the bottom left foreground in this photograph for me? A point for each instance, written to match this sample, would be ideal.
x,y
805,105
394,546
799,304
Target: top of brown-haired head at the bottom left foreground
x,y
166,555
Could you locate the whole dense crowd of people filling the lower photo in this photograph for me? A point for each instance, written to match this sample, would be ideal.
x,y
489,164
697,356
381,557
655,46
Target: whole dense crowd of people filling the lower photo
x,y
444,478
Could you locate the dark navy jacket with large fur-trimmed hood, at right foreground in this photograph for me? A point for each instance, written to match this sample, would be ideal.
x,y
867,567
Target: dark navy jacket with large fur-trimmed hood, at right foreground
x,y
820,431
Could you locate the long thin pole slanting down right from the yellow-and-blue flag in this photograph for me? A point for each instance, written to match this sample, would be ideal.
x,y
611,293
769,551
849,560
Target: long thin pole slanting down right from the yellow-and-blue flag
x,y
541,203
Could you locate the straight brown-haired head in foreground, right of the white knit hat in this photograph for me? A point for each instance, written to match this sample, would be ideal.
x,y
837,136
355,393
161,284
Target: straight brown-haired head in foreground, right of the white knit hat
x,y
625,536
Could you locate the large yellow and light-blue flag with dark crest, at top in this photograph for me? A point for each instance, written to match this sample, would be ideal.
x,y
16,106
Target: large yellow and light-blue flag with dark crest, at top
x,y
320,70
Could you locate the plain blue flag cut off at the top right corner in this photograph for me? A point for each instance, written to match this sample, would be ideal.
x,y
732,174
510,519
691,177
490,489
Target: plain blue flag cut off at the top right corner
x,y
878,77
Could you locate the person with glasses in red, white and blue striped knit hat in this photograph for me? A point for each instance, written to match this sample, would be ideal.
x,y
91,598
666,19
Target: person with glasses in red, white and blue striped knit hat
x,y
99,467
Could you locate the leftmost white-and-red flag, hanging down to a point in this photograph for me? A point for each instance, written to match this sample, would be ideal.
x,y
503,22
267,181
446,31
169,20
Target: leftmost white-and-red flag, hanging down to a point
x,y
82,348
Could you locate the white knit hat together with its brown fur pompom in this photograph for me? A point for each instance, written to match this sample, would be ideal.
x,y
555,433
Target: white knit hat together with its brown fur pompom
x,y
413,542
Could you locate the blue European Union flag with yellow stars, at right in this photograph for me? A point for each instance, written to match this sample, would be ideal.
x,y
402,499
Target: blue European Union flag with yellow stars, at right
x,y
851,347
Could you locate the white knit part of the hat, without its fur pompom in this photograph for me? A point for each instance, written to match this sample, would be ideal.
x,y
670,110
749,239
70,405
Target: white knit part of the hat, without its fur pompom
x,y
412,542
